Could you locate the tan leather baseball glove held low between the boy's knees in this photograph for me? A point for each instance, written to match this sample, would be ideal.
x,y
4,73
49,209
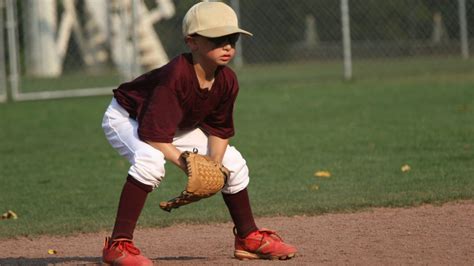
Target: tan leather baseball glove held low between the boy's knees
x,y
205,178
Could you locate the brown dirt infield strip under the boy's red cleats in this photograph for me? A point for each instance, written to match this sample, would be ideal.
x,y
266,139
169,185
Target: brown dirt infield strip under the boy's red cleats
x,y
427,235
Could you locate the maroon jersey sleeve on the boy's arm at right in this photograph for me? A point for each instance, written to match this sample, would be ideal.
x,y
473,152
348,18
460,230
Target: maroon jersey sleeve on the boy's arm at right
x,y
220,122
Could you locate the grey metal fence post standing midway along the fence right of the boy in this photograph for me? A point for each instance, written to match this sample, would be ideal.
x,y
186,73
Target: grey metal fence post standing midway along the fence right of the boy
x,y
346,39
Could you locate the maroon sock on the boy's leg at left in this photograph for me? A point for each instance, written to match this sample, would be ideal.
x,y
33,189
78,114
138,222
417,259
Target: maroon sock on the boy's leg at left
x,y
131,203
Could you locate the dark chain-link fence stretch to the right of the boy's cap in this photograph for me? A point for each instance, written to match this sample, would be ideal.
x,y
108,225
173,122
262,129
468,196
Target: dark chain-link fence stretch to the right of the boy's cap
x,y
311,30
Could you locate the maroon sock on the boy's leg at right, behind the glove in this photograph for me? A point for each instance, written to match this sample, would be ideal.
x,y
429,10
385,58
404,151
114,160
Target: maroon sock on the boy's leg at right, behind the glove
x,y
241,212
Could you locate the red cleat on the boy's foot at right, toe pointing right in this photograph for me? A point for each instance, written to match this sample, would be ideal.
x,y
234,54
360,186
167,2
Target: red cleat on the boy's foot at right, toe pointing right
x,y
262,244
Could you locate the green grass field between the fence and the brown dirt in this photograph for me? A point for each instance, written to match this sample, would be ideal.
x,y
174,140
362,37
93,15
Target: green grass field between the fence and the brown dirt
x,y
58,173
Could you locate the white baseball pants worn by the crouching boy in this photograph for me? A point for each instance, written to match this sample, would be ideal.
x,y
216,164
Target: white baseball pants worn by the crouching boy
x,y
148,163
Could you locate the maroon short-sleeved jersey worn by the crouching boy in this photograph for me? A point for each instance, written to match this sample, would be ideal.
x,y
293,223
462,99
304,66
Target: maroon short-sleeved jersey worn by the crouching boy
x,y
169,98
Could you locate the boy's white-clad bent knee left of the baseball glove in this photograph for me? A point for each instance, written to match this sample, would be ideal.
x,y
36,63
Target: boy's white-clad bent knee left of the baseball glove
x,y
148,167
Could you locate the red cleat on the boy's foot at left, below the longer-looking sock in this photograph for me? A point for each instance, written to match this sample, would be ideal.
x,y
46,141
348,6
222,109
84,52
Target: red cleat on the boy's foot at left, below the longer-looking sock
x,y
123,252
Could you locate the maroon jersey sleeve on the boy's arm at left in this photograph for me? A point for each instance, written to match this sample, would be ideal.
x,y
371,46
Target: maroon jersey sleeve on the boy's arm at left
x,y
160,116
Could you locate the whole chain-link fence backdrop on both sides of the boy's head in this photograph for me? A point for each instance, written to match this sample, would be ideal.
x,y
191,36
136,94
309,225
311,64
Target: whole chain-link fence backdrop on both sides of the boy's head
x,y
58,48
